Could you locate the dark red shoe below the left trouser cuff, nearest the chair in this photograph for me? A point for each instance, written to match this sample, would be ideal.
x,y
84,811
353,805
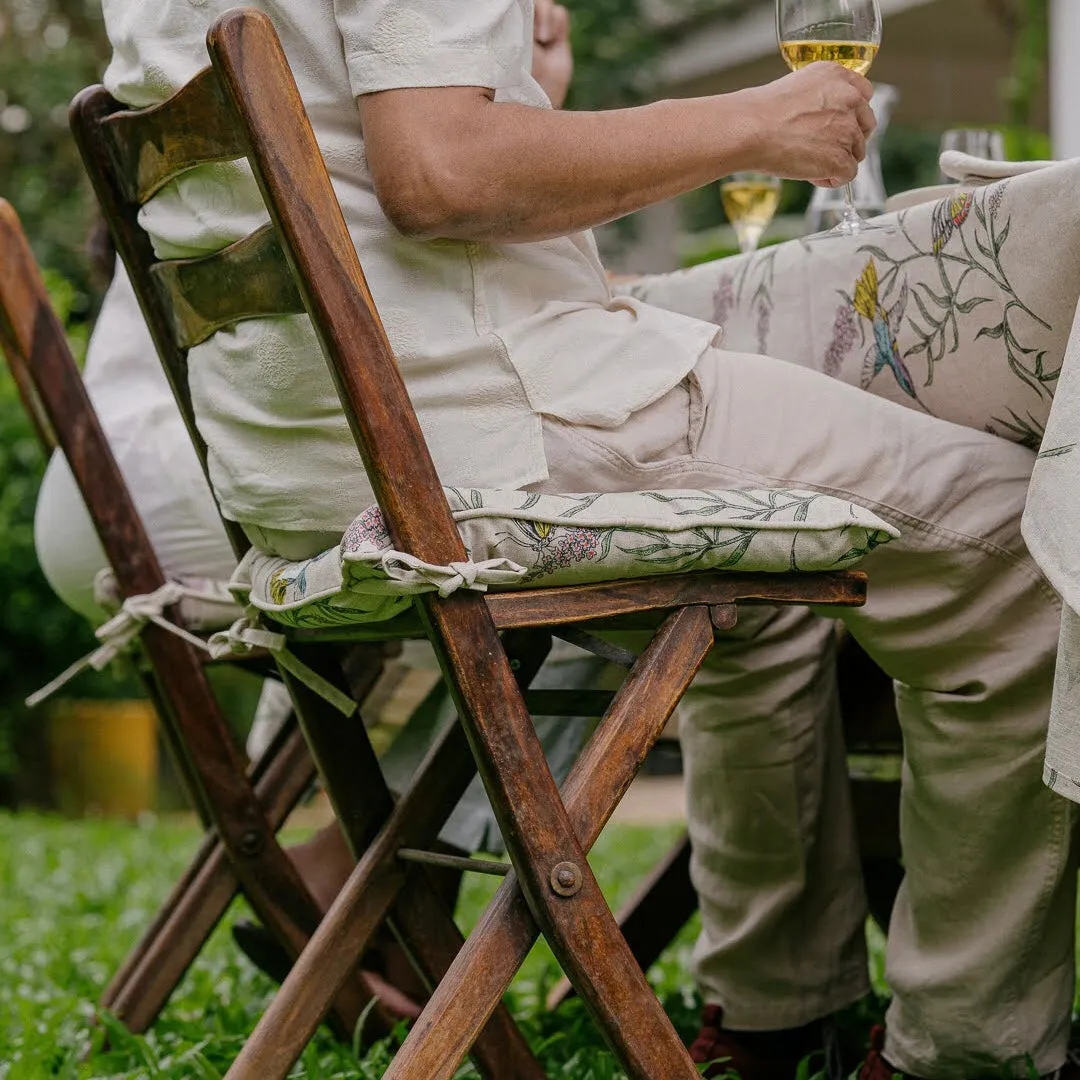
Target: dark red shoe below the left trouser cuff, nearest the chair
x,y
754,1056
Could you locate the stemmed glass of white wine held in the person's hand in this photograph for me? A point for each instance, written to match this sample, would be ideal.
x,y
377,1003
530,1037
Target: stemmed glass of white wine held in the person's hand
x,y
845,32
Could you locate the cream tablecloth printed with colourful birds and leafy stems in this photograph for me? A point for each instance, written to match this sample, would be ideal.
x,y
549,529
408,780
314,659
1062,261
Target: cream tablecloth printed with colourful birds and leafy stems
x,y
960,307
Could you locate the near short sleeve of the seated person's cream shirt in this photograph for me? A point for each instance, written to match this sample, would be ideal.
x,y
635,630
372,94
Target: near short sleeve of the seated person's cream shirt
x,y
390,45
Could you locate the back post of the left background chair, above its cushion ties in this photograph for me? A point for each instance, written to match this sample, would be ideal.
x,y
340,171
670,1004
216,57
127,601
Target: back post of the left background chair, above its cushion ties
x,y
34,343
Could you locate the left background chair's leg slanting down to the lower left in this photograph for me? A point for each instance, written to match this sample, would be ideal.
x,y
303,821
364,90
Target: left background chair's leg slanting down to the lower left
x,y
144,984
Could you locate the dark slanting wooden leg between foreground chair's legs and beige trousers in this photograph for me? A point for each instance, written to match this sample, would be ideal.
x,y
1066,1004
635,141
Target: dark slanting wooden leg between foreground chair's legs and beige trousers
x,y
661,907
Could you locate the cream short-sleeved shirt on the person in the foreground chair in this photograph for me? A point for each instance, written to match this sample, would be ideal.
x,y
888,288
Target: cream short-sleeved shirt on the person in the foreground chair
x,y
489,336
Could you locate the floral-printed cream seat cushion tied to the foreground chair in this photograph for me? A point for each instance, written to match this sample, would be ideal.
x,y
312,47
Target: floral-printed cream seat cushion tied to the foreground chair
x,y
517,538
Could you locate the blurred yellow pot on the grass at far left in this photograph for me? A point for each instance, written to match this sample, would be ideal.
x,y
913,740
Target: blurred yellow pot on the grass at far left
x,y
104,758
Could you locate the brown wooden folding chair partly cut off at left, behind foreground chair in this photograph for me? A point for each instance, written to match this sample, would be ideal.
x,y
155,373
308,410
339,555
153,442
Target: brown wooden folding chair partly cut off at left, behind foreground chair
x,y
241,811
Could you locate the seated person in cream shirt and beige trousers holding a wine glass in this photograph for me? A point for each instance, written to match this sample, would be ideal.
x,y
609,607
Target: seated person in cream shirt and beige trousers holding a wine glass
x,y
470,201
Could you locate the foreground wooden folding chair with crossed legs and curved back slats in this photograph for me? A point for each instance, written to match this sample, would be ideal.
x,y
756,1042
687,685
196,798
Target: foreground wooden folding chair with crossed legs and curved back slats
x,y
490,646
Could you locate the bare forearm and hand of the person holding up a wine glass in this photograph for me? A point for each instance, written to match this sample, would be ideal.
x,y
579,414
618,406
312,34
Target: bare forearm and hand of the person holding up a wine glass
x,y
452,163
